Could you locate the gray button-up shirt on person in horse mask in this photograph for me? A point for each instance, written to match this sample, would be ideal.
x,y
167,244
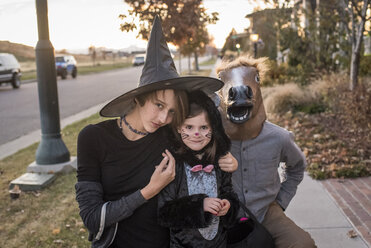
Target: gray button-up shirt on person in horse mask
x,y
257,181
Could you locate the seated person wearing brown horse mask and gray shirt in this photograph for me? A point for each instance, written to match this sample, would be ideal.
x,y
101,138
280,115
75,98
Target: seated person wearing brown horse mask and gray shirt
x,y
260,147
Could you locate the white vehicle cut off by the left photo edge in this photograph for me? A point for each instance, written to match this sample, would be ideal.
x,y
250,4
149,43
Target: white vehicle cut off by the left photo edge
x,y
10,70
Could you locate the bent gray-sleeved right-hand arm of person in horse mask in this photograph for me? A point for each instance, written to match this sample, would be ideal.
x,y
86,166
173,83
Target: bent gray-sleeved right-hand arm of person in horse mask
x,y
294,170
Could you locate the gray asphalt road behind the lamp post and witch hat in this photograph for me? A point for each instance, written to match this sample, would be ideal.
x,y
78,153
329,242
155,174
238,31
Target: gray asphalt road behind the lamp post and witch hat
x,y
19,109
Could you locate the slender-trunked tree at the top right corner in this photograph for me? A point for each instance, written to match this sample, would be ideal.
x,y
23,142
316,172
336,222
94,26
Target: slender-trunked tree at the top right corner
x,y
356,11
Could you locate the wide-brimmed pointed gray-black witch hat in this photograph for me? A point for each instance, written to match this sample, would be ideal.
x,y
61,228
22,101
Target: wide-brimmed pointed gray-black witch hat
x,y
158,73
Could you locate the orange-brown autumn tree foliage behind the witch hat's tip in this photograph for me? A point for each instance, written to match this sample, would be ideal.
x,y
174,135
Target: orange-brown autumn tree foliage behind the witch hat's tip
x,y
183,22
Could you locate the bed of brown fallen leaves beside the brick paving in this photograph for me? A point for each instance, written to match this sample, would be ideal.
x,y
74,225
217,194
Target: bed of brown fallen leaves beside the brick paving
x,y
333,145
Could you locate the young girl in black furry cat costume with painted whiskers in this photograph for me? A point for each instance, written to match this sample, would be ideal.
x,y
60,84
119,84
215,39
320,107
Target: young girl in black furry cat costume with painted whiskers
x,y
200,202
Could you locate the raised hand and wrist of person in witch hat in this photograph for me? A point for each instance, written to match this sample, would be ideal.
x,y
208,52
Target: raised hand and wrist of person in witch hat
x,y
162,176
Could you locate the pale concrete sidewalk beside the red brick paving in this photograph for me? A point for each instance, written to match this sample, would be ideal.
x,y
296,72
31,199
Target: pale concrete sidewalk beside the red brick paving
x,y
314,209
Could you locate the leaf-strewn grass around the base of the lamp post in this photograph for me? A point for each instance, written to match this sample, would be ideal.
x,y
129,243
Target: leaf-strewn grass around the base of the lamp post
x,y
49,218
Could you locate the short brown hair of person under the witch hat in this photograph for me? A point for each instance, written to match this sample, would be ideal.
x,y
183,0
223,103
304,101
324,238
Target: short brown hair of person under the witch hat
x,y
181,103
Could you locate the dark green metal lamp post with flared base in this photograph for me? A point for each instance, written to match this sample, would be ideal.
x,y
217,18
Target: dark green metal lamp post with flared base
x,y
51,149
